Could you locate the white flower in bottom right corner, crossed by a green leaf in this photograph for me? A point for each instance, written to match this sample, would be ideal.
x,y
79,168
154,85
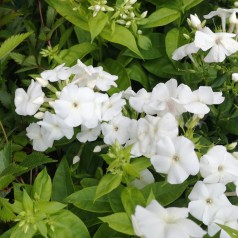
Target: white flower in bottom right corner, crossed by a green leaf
x,y
226,215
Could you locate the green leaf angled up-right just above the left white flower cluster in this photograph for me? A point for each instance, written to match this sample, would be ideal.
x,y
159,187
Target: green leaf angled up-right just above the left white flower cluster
x,y
70,56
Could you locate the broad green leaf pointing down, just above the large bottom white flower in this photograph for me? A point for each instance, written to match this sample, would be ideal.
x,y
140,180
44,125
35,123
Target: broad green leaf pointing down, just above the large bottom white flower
x,y
131,197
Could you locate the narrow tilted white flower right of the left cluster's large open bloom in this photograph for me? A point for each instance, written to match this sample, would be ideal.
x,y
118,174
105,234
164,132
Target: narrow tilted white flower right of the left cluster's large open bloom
x,y
112,107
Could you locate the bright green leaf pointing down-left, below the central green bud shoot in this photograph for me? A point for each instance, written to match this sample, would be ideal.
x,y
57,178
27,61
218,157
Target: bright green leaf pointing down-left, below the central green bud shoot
x,y
107,184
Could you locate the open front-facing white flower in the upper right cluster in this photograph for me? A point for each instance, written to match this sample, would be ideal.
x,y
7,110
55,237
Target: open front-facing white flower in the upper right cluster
x,y
220,44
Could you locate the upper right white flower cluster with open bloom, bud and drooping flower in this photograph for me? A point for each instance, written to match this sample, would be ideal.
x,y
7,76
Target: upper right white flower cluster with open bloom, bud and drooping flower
x,y
219,44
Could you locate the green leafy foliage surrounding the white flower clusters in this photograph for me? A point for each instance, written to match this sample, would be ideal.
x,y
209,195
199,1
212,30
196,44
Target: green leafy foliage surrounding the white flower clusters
x,y
38,35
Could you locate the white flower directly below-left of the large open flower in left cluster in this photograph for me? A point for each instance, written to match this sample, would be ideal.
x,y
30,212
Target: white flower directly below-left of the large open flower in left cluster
x,y
55,127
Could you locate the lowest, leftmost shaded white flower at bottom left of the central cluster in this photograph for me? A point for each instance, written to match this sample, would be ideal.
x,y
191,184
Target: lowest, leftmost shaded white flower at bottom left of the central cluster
x,y
39,137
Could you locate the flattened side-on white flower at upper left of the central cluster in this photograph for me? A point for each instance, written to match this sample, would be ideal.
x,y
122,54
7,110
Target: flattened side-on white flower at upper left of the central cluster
x,y
58,73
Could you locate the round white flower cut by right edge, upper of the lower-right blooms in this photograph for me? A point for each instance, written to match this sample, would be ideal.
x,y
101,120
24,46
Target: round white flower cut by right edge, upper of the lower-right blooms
x,y
218,166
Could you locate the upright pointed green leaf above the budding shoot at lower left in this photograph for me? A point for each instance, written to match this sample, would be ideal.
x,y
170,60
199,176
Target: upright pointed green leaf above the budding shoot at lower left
x,y
42,186
